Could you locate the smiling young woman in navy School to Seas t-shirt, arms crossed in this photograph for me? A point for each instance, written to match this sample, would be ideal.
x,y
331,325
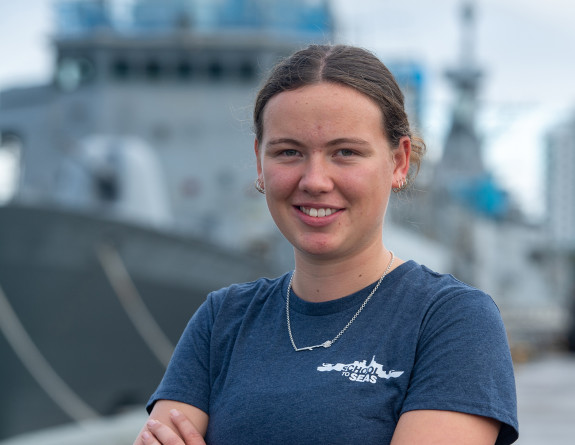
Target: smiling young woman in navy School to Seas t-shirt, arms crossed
x,y
355,345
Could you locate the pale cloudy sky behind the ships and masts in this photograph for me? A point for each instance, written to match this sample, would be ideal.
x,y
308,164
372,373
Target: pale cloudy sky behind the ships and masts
x,y
524,47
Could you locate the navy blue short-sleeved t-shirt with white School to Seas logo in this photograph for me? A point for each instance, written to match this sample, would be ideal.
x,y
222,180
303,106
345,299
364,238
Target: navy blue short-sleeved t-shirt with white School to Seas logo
x,y
424,341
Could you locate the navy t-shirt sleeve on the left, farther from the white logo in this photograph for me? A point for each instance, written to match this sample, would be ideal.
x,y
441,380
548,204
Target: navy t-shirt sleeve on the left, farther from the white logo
x,y
187,378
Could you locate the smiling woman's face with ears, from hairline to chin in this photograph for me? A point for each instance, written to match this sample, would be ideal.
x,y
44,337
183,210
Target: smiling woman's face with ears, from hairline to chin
x,y
328,169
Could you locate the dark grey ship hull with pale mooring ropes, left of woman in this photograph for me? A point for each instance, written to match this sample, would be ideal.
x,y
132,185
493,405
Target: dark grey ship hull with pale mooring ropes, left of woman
x,y
84,290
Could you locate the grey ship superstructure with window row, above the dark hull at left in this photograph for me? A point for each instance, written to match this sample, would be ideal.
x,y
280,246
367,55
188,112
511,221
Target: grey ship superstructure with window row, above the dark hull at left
x,y
178,75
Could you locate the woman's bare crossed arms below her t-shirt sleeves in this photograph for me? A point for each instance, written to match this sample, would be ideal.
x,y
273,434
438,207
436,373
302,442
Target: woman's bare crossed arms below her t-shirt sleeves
x,y
175,423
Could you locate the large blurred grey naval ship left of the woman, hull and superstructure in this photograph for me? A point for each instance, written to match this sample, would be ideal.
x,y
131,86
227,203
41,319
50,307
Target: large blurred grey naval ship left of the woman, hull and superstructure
x,y
132,195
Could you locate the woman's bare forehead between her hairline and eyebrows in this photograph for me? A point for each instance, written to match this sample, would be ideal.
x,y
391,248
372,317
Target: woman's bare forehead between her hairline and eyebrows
x,y
332,105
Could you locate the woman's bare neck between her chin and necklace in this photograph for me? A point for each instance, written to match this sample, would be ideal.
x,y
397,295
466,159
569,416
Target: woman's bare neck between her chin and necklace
x,y
323,280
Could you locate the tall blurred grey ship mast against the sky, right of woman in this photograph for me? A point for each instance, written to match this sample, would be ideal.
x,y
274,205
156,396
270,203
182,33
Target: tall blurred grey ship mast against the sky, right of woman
x,y
456,186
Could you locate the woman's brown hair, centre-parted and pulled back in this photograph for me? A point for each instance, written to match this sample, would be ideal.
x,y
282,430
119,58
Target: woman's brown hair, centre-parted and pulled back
x,y
350,66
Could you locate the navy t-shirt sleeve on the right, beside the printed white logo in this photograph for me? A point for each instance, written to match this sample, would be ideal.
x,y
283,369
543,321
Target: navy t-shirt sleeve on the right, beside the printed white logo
x,y
463,362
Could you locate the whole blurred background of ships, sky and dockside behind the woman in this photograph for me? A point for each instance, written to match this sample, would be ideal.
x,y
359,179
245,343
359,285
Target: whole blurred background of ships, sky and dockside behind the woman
x,y
126,185
